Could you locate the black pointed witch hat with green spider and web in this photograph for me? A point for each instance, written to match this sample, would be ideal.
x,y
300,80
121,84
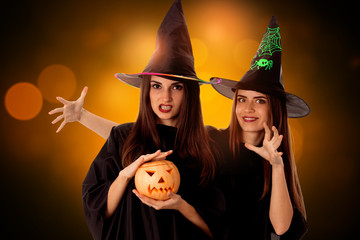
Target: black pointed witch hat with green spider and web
x,y
265,74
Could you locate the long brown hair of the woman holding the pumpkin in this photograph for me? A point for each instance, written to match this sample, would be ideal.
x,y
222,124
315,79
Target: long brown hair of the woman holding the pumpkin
x,y
191,141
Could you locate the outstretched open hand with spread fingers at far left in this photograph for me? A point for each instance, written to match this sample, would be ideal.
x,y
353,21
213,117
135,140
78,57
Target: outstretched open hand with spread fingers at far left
x,y
71,111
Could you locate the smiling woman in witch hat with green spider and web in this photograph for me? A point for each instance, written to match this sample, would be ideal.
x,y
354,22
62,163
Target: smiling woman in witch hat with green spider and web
x,y
258,176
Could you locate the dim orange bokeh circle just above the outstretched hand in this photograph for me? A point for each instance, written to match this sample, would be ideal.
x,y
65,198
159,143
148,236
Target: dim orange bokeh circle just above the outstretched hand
x,y
57,80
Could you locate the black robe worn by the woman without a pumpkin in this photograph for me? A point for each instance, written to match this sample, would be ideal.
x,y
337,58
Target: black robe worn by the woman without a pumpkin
x,y
242,182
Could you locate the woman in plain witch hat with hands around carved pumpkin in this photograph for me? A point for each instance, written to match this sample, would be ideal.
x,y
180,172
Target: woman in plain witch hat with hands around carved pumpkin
x,y
169,119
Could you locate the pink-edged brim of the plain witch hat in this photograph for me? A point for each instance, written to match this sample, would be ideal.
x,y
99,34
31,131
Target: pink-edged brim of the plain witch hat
x,y
135,80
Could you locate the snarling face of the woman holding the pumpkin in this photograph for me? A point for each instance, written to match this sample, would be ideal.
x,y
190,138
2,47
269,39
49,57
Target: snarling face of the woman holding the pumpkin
x,y
166,98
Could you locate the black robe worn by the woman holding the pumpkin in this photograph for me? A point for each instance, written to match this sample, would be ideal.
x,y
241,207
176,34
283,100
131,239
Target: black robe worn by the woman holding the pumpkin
x,y
133,219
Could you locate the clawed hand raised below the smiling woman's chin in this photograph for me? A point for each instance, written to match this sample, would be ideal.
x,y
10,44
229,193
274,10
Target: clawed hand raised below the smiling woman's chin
x,y
270,145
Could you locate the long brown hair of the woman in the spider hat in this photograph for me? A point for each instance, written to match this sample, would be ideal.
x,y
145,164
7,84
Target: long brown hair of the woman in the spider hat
x,y
279,119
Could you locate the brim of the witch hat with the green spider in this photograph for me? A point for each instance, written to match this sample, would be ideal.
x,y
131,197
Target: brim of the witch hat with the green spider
x,y
295,106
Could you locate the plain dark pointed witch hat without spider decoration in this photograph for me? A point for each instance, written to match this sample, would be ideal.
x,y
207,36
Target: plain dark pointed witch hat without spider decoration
x,y
173,55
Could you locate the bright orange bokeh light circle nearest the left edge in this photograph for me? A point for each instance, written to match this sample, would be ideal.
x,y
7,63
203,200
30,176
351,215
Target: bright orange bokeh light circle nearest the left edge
x,y
23,101
